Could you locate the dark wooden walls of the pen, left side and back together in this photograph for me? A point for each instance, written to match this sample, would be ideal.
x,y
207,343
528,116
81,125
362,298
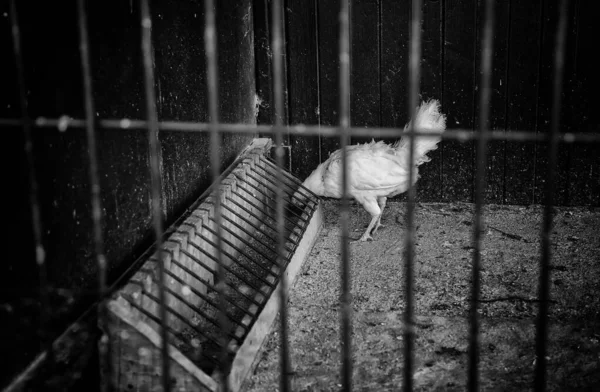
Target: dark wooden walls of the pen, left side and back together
x,y
521,99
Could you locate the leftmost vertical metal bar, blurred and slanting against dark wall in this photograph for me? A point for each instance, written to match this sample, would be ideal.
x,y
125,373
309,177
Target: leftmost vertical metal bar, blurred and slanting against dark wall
x,y
36,219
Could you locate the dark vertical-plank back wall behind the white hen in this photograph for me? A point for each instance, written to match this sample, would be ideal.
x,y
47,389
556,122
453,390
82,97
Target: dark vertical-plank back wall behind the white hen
x,y
522,83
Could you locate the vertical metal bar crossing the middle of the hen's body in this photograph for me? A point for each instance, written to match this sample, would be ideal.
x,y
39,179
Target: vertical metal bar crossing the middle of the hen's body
x,y
346,299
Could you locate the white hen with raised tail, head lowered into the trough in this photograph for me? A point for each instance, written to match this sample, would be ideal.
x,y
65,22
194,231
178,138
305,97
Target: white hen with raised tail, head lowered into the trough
x,y
378,170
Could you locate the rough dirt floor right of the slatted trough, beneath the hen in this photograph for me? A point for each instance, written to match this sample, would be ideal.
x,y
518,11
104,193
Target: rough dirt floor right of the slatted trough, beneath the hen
x,y
509,281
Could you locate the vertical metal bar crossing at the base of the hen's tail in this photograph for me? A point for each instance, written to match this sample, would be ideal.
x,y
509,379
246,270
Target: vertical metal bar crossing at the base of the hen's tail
x,y
414,69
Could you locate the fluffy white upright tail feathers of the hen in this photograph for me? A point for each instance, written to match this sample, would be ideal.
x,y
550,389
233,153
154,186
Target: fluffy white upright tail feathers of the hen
x,y
429,118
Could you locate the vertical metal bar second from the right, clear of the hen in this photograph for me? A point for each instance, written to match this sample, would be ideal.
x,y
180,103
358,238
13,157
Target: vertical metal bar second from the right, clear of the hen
x,y
484,114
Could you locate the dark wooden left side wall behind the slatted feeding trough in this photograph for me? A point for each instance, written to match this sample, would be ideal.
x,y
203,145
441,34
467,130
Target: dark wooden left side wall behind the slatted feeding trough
x,y
53,76
